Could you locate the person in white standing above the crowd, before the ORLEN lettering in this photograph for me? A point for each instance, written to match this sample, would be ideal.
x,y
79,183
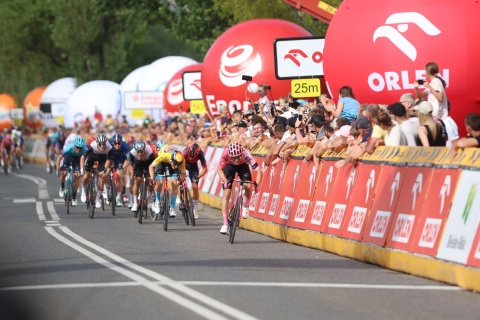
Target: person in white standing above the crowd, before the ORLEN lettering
x,y
434,92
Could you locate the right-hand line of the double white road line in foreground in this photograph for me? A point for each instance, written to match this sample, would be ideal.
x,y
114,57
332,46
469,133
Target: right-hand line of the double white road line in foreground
x,y
235,313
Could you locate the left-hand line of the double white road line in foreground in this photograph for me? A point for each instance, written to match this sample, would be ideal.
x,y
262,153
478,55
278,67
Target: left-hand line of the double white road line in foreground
x,y
174,297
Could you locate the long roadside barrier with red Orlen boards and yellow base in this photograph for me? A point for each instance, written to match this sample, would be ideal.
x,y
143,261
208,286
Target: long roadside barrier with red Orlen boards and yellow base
x,y
412,209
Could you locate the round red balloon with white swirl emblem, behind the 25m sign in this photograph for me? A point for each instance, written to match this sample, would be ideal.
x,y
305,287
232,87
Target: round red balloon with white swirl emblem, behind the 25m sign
x,y
245,49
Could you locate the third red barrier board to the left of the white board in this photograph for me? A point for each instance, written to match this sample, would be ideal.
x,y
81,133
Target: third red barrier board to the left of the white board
x,y
386,196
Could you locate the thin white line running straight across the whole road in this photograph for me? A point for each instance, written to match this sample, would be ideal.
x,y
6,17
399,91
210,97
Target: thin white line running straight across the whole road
x,y
237,284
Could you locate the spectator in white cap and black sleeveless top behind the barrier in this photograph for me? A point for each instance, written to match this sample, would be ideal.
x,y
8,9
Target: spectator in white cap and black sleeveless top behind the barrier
x,y
430,133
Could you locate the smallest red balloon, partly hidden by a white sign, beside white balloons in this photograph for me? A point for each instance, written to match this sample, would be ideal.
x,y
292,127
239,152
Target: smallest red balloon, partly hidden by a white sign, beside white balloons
x,y
173,94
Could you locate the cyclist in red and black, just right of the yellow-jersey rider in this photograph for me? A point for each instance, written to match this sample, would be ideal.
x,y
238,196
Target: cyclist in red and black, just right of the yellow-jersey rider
x,y
192,154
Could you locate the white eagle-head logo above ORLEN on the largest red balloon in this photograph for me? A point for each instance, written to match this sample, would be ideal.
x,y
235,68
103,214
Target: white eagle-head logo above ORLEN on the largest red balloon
x,y
395,35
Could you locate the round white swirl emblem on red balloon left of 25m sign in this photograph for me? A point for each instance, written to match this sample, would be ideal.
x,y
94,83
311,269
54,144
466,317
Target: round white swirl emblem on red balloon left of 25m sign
x,y
232,65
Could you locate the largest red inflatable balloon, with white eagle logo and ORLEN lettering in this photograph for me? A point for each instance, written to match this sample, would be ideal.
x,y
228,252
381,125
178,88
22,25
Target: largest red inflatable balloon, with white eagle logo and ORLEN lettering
x,y
381,56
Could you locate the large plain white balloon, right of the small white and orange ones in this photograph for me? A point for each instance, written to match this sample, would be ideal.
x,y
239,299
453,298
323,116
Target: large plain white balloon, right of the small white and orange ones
x,y
95,100
